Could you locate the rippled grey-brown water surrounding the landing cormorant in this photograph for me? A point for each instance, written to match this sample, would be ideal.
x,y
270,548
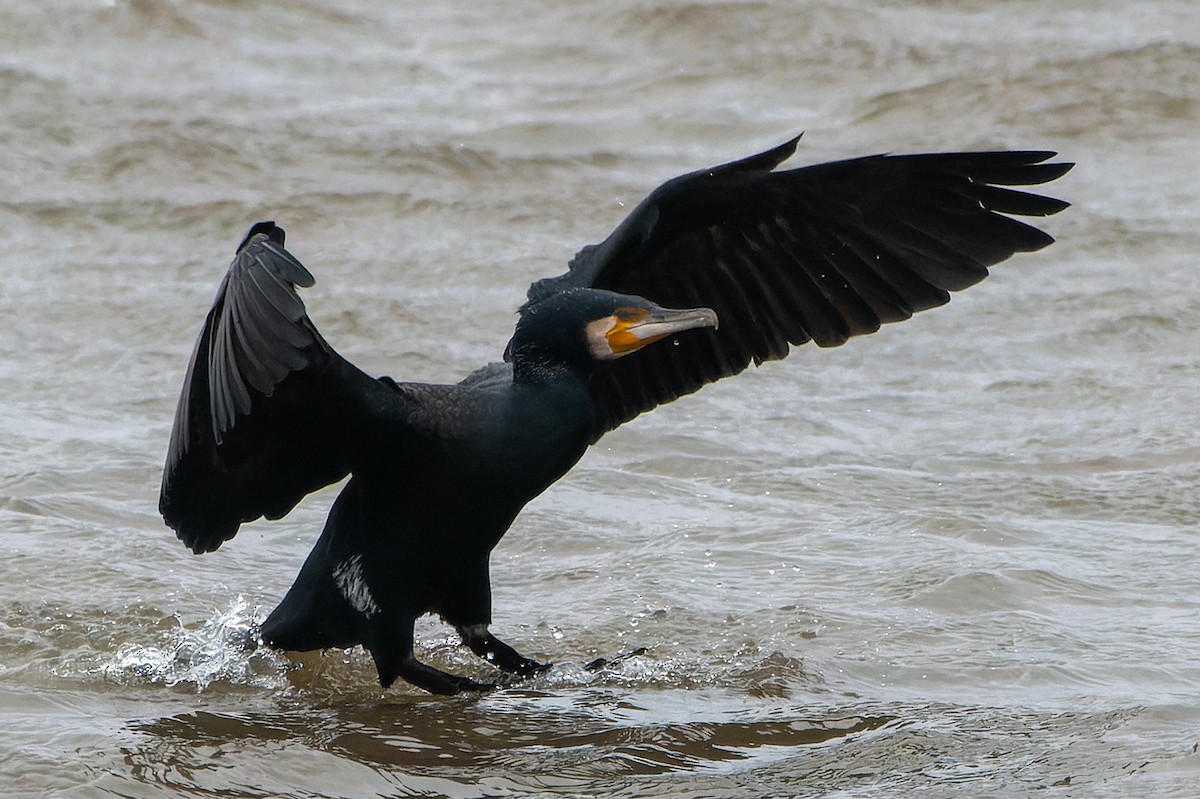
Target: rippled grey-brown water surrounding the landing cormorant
x,y
958,558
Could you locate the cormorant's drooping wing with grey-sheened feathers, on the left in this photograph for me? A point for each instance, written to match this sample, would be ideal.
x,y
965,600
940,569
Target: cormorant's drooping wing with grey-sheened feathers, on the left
x,y
267,411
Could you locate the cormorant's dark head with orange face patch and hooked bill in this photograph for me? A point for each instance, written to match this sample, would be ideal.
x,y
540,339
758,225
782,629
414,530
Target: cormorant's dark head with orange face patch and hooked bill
x,y
577,328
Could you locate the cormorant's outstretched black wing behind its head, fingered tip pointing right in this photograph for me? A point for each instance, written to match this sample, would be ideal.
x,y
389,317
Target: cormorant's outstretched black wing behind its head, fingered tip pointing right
x,y
819,254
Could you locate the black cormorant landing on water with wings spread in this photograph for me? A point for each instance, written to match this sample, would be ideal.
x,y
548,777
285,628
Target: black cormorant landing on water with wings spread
x,y
271,412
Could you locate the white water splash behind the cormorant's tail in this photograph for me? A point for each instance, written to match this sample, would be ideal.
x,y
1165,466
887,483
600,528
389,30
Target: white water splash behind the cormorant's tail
x,y
225,648
